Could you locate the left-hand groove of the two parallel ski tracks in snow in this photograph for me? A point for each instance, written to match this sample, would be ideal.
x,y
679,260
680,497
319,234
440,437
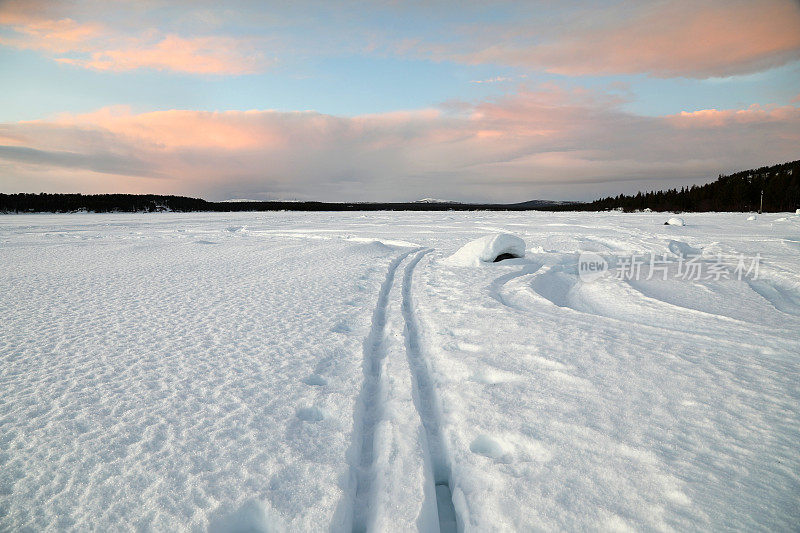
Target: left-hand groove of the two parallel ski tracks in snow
x,y
370,406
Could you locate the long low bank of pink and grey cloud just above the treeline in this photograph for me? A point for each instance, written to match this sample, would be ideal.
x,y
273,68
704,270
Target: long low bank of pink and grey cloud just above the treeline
x,y
575,142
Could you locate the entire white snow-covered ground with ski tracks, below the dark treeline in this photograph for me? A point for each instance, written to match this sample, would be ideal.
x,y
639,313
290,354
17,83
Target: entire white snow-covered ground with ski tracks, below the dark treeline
x,y
331,371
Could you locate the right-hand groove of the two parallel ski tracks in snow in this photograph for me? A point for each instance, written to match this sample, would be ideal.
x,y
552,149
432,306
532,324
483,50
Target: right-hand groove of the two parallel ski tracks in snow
x,y
427,405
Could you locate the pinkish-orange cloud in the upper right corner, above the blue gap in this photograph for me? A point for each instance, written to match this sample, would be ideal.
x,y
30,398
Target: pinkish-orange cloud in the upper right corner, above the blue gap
x,y
665,39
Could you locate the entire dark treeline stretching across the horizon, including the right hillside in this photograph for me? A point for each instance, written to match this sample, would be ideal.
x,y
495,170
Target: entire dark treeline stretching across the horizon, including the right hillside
x,y
738,192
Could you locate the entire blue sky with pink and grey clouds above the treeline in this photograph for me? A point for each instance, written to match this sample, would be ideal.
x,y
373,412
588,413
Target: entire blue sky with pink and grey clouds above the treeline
x,y
392,100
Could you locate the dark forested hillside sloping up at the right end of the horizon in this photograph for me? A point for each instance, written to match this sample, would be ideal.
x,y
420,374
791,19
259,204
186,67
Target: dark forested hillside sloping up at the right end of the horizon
x,y
738,192
